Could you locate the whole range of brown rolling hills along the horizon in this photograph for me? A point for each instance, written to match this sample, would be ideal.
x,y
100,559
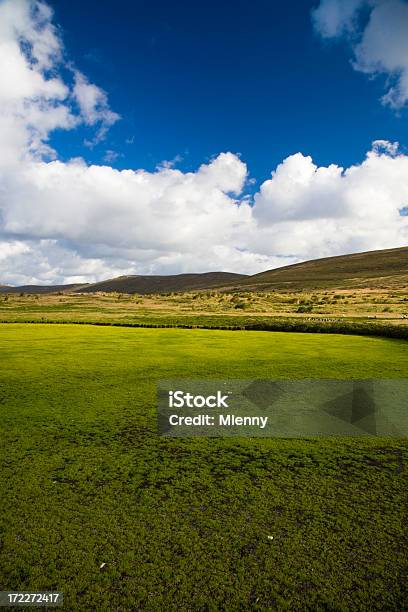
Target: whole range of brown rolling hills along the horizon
x,y
377,269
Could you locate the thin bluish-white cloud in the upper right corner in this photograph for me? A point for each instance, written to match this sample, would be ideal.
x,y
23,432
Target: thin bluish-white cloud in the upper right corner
x,y
379,41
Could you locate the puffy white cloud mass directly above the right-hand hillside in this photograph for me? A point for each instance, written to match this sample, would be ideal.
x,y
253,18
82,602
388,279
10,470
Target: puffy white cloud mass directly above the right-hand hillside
x,y
317,211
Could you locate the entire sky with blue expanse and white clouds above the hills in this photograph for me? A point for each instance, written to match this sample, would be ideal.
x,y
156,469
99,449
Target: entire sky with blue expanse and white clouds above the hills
x,y
160,138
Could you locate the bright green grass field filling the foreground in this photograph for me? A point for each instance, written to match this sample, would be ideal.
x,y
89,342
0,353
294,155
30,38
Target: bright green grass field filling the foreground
x,y
183,524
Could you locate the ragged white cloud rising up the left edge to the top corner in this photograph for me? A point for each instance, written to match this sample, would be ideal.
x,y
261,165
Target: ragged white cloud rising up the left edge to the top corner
x,y
34,99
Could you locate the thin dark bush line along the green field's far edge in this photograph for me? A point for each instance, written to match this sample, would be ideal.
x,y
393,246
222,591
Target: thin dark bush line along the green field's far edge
x,y
337,327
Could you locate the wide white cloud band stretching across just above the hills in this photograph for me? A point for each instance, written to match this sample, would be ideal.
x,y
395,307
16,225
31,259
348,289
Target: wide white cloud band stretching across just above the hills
x,y
95,221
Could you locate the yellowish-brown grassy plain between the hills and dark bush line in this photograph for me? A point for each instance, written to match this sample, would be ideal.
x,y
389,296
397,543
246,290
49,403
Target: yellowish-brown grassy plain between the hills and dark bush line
x,y
369,305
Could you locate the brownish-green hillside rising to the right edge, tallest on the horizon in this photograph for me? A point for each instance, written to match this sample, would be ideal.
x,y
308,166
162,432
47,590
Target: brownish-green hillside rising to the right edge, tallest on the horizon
x,y
372,268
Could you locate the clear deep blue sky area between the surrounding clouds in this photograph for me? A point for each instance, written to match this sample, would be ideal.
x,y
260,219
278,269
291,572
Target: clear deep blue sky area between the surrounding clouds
x,y
190,80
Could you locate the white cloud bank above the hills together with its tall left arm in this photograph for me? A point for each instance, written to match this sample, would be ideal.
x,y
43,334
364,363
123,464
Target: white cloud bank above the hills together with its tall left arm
x,y
74,222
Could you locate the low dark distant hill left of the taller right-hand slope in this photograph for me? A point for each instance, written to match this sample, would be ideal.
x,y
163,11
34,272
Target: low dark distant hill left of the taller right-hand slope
x,y
164,284
